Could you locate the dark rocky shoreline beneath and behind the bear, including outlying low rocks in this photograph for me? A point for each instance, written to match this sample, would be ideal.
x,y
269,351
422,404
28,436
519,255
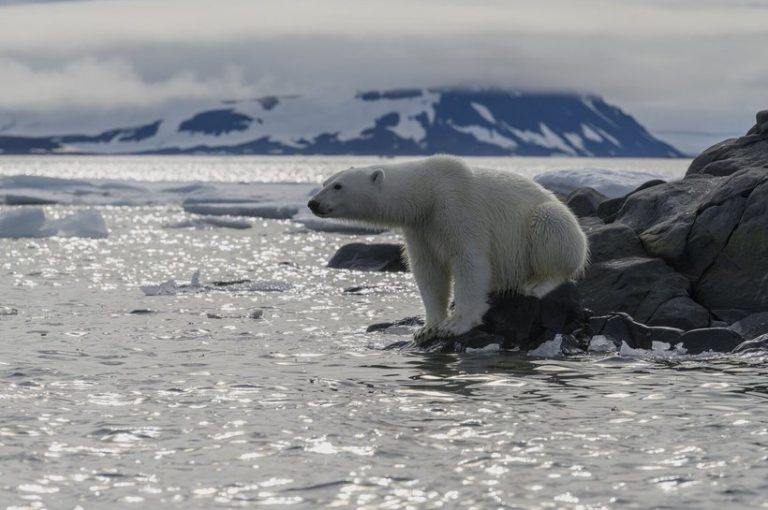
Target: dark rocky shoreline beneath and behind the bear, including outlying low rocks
x,y
682,263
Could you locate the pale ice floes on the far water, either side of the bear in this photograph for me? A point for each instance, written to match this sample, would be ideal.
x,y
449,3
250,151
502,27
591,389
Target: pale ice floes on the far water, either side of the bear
x,y
286,201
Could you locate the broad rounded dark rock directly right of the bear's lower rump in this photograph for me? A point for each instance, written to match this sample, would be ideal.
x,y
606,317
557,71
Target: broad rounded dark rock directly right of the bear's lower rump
x,y
637,286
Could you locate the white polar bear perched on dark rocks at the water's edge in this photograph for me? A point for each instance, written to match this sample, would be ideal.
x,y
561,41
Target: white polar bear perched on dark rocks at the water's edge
x,y
478,230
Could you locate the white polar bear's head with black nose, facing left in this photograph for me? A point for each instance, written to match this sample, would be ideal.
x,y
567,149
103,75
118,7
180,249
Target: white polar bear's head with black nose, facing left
x,y
350,194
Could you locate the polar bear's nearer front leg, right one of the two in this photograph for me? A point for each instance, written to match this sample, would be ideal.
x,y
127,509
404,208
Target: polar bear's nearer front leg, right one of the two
x,y
472,282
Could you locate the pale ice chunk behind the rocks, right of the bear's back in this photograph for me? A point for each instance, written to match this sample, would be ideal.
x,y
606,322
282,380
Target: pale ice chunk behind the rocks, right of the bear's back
x,y
612,183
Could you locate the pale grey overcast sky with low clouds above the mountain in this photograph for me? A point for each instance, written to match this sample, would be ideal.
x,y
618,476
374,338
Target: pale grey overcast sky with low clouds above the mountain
x,y
676,65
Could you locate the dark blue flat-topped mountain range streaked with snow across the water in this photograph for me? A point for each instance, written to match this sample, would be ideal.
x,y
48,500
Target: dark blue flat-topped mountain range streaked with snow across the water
x,y
462,121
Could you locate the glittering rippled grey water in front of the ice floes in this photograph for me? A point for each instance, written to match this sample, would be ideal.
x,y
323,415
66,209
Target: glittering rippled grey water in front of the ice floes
x,y
189,402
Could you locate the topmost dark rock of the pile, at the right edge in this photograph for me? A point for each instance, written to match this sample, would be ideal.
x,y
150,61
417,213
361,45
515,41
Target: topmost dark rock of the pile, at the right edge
x,y
735,154
